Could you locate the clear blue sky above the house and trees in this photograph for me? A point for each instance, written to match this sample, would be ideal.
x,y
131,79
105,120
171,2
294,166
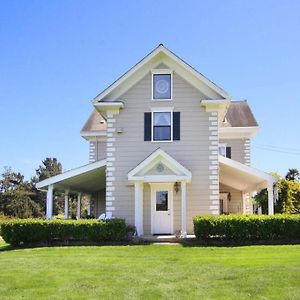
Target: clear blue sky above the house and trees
x,y
55,56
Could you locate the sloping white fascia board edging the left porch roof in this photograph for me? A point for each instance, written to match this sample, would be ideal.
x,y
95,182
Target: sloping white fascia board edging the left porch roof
x,y
71,173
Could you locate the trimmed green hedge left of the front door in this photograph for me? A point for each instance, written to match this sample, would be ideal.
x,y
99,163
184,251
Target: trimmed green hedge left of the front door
x,y
28,231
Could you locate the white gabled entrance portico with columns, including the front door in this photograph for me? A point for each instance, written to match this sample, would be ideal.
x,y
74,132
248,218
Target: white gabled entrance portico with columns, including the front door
x,y
165,176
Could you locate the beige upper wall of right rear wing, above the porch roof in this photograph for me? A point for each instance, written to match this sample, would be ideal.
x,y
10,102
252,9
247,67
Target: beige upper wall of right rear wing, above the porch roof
x,y
240,149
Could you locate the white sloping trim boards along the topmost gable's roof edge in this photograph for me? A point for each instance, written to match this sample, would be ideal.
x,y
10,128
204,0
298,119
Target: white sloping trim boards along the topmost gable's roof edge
x,y
147,59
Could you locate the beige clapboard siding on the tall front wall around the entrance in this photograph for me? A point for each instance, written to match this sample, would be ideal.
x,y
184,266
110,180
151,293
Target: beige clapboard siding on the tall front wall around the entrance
x,y
192,151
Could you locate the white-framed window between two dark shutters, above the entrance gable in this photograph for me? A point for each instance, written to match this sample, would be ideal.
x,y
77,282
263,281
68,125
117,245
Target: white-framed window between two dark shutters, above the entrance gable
x,y
162,126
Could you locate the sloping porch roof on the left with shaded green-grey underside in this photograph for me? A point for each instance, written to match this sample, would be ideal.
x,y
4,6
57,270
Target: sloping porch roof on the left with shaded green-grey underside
x,y
87,179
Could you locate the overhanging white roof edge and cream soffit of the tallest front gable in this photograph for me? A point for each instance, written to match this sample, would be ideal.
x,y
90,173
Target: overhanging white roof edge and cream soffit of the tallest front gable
x,y
161,50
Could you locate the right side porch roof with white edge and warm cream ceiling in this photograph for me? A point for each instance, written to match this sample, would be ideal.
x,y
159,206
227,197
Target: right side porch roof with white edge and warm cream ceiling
x,y
242,177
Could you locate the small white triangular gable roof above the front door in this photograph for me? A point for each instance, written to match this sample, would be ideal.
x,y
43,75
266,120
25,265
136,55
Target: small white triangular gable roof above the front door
x,y
159,156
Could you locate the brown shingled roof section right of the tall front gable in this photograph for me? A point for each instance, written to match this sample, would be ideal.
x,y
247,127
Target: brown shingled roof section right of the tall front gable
x,y
239,114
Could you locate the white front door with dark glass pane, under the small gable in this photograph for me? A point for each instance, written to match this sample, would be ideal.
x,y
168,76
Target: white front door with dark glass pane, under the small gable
x,y
162,205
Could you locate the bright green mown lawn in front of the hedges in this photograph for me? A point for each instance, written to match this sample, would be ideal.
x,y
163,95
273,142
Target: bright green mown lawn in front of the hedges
x,y
150,272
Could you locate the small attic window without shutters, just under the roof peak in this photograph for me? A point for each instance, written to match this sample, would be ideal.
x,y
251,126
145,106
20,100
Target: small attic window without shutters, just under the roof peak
x,y
162,86
